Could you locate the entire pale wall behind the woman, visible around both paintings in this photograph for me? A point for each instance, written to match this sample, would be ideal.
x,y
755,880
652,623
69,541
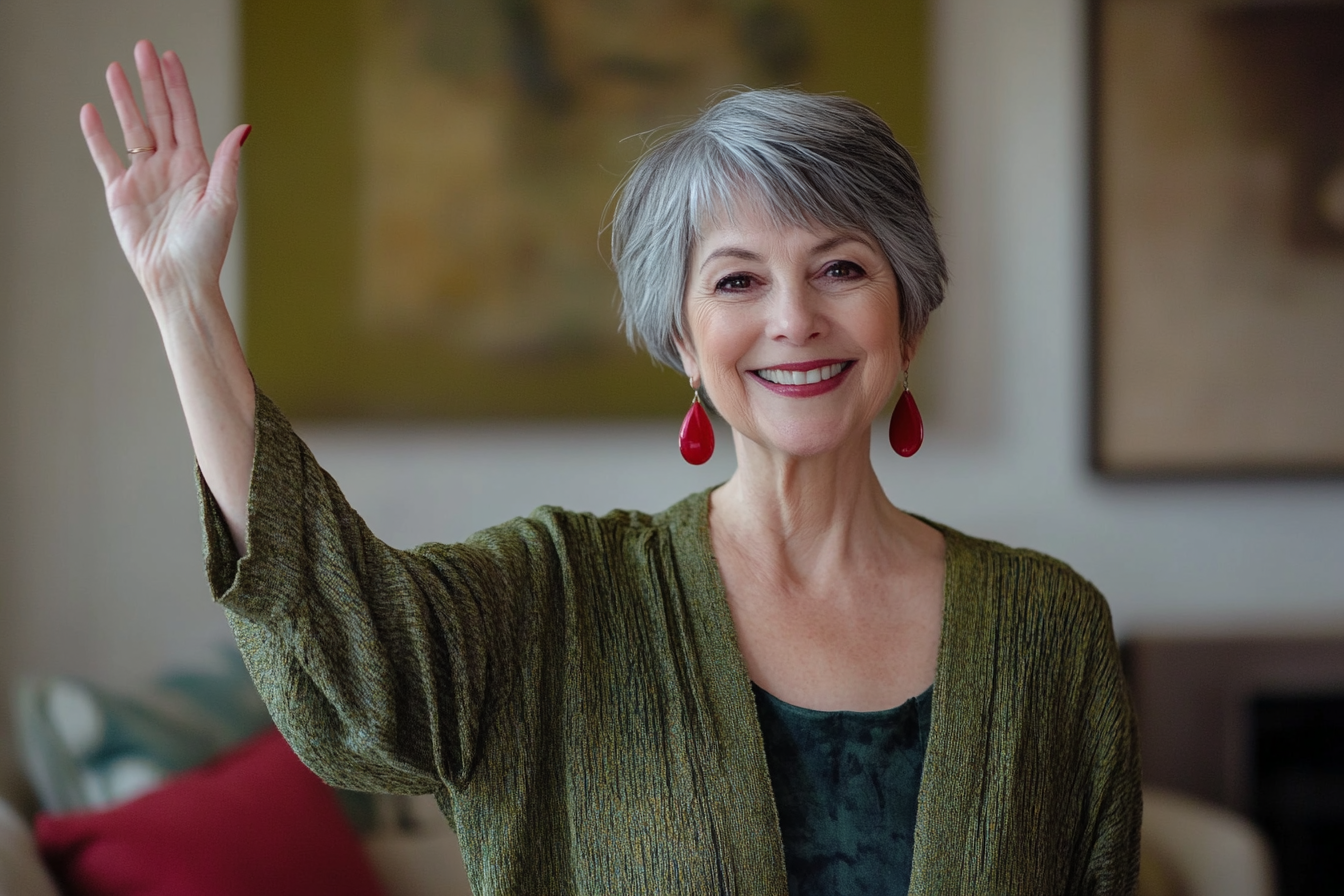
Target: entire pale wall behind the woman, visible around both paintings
x,y
99,541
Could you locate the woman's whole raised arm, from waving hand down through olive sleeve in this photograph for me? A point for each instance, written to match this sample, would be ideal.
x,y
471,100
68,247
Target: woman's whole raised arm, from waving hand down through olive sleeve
x,y
377,664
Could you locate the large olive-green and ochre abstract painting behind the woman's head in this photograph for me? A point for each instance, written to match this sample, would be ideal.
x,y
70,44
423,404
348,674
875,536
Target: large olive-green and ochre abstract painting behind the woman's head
x,y
427,183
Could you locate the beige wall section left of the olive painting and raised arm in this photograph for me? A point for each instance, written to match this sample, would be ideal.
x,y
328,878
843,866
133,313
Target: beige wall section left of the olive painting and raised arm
x,y
100,551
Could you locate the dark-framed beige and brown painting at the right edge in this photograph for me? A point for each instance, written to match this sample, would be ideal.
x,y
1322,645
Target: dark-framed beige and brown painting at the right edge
x,y
1218,238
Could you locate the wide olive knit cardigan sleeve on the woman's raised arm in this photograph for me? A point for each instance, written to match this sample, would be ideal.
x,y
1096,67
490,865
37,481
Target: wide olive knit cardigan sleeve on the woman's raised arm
x,y
380,667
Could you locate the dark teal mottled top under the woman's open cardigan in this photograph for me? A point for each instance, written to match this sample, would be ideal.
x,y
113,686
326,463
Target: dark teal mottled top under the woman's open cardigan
x,y
847,788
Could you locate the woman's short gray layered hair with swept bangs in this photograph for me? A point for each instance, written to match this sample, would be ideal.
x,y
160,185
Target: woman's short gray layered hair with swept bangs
x,y
810,161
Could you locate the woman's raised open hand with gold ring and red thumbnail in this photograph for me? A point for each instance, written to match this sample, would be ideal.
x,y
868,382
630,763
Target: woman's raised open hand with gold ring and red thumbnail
x,y
174,212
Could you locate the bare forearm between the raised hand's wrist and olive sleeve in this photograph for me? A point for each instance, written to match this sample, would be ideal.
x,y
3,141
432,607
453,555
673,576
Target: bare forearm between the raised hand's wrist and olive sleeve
x,y
217,396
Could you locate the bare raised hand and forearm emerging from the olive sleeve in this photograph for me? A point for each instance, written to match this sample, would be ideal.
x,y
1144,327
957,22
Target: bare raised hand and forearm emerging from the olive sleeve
x,y
174,214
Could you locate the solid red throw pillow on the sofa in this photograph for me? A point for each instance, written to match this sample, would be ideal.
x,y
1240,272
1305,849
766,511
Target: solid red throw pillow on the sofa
x,y
253,823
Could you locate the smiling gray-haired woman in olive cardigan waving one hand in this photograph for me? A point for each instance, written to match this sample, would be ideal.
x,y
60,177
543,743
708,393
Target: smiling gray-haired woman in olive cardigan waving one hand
x,y
783,684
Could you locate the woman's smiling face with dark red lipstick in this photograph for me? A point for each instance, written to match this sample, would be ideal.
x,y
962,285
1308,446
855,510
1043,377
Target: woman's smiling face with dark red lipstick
x,y
795,332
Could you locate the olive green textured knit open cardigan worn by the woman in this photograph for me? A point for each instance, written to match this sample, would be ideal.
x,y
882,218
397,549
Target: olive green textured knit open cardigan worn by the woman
x,y
572,691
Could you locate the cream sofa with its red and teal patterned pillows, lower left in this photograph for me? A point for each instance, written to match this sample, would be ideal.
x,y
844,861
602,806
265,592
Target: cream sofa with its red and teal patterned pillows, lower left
x,y
186,788
